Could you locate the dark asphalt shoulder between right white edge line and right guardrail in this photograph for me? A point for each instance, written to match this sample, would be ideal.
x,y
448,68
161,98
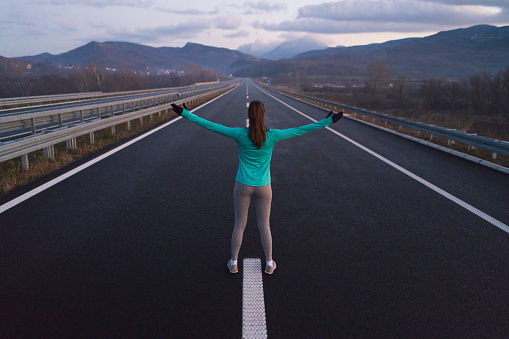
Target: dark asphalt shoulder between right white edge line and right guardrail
x,y
485,189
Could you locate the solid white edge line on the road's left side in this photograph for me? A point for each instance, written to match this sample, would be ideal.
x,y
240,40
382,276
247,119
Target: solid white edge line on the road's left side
x,y
43,187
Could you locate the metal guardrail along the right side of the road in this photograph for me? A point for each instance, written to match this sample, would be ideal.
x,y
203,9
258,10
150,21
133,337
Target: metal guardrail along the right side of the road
x,y
471,140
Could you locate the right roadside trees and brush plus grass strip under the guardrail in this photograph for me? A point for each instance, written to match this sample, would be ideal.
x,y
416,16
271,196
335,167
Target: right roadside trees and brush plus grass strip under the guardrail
x,y
478,104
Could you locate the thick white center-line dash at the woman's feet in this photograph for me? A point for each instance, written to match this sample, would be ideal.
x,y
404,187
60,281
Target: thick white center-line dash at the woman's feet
x,y
253,304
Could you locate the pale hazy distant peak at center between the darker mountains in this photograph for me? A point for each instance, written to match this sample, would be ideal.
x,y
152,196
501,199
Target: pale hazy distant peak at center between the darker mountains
x,y
285,50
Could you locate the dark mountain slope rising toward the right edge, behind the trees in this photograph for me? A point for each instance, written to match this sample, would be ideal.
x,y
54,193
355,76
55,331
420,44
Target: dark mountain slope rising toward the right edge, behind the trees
x,y
451,54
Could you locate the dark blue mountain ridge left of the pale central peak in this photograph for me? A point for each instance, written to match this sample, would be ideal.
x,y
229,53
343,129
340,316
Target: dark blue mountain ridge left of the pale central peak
x,y
129,56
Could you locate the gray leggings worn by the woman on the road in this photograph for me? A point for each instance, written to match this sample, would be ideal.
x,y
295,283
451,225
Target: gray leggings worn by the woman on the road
x,y
262,198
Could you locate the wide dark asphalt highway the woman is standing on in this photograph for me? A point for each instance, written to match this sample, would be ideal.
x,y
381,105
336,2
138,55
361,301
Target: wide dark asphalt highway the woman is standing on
x,y
373,235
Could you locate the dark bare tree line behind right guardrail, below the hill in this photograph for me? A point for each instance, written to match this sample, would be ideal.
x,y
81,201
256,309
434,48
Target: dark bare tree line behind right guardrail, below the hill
x,y
482,94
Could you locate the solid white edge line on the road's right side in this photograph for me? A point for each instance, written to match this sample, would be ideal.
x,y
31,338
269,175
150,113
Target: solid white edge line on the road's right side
x,y
426,183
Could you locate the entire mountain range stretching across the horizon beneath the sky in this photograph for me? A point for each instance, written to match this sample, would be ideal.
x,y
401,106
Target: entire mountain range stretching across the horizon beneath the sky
x,y
450,54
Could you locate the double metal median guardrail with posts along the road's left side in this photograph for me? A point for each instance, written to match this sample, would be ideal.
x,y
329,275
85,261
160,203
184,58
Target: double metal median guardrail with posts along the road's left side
x,y
79,125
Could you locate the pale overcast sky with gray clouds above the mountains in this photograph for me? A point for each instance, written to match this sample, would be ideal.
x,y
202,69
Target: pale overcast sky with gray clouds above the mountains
x,y
29,27
